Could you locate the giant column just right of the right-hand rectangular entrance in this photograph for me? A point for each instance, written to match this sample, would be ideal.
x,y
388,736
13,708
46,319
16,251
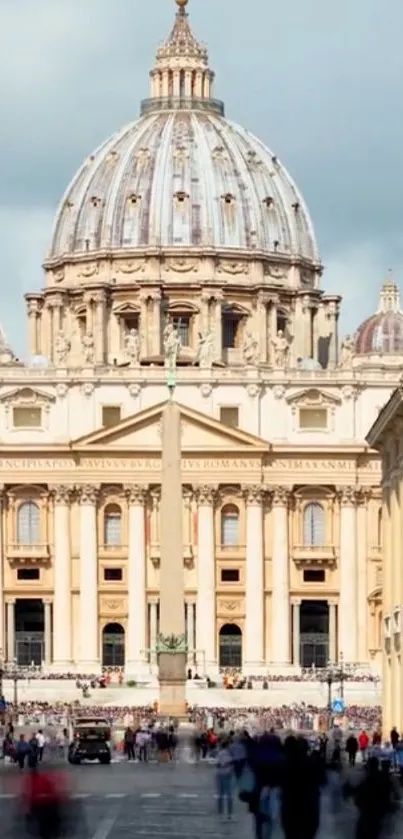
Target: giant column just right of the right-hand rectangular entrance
x,y
348,575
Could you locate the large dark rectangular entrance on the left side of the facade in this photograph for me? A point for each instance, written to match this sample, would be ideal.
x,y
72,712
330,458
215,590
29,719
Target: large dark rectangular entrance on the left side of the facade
x,y
29,632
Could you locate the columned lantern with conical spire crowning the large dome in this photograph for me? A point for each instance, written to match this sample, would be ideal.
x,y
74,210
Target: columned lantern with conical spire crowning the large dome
x,y
181,77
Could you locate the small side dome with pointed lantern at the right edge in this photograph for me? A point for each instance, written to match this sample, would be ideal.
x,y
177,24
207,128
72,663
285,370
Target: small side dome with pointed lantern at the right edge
x,y
382,332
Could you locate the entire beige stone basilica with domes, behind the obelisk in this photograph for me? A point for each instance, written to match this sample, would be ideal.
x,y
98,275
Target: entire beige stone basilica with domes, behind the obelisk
x,y
184,226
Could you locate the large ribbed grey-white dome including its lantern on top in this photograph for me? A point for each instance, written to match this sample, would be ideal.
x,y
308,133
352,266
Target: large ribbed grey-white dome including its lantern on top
x,y
182,175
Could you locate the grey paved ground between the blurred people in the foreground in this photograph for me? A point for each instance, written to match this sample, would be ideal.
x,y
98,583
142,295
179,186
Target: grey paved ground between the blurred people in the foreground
x,y
156,801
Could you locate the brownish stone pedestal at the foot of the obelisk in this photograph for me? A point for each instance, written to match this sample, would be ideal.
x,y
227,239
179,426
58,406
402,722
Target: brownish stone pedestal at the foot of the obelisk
x,y
172,680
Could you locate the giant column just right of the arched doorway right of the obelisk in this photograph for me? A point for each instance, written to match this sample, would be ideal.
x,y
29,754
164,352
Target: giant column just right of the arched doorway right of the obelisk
x,y
254,609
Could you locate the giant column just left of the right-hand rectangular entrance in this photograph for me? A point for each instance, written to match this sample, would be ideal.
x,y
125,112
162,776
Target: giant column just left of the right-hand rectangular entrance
x,y
280,605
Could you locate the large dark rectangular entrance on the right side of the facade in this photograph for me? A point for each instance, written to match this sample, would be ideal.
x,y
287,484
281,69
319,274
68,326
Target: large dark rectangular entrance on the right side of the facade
x,y
314,633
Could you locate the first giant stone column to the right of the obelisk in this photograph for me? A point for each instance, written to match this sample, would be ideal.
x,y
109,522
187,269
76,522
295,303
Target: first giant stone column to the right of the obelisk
x,y
206,606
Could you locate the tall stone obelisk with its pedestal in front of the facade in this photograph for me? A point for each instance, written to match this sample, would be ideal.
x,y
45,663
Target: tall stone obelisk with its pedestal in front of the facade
x,y
171,646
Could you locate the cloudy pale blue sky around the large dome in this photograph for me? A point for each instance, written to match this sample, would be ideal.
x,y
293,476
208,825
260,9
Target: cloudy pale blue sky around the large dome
x,y
320,83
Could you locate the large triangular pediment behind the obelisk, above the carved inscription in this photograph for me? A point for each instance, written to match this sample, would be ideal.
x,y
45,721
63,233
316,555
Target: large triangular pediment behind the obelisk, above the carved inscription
x,y
142,431
